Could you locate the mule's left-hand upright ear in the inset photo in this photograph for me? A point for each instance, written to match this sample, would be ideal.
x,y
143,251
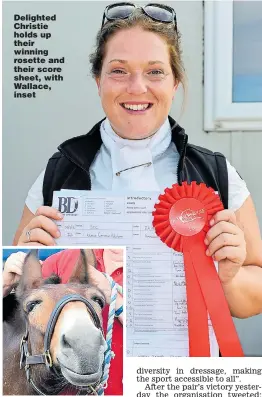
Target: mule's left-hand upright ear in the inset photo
x,y
32,273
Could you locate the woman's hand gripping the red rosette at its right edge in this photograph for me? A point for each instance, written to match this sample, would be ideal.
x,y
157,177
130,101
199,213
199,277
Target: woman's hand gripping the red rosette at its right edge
x,y
226,244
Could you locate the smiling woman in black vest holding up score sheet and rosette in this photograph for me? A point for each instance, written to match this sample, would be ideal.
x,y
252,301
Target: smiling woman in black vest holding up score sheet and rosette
x,y
137,67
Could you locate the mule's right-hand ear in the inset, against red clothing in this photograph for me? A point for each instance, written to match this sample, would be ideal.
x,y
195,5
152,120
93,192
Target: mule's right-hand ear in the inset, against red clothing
x,y
80,272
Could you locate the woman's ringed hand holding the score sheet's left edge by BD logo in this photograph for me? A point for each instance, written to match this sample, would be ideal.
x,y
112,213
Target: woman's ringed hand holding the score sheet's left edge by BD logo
x,y
41,230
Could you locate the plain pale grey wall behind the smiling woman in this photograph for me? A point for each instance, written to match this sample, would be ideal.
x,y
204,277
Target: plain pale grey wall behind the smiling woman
x,y
33,128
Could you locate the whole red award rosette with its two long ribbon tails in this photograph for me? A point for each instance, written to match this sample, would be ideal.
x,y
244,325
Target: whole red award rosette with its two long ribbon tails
x,y
181,220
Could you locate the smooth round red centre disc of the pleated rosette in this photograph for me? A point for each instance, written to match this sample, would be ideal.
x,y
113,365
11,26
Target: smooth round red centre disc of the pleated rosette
x,y
188,216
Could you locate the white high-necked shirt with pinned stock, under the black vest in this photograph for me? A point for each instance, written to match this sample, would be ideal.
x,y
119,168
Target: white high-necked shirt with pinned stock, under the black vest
x,y
118,154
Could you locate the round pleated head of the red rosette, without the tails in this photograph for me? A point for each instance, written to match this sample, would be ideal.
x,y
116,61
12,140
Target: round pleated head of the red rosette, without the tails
x,y
184,210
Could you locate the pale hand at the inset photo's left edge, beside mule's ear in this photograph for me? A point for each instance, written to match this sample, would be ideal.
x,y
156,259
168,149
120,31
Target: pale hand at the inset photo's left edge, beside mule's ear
x,y
12,271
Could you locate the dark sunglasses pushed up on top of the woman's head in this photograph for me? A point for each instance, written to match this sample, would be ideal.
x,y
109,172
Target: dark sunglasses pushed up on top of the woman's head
x,y
155,11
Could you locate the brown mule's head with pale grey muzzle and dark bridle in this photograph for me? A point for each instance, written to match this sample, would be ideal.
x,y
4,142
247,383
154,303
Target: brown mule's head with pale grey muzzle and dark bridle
x,y
77,344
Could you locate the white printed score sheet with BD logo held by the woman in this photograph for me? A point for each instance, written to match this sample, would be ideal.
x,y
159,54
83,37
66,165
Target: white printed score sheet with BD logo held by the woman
x,y
156,312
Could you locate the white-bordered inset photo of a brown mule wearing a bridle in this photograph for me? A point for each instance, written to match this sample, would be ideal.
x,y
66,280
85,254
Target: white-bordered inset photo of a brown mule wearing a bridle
x,y
62,321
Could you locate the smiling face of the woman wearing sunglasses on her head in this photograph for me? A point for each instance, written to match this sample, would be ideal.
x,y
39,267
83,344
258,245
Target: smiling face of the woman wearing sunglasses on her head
x,y
136,85
